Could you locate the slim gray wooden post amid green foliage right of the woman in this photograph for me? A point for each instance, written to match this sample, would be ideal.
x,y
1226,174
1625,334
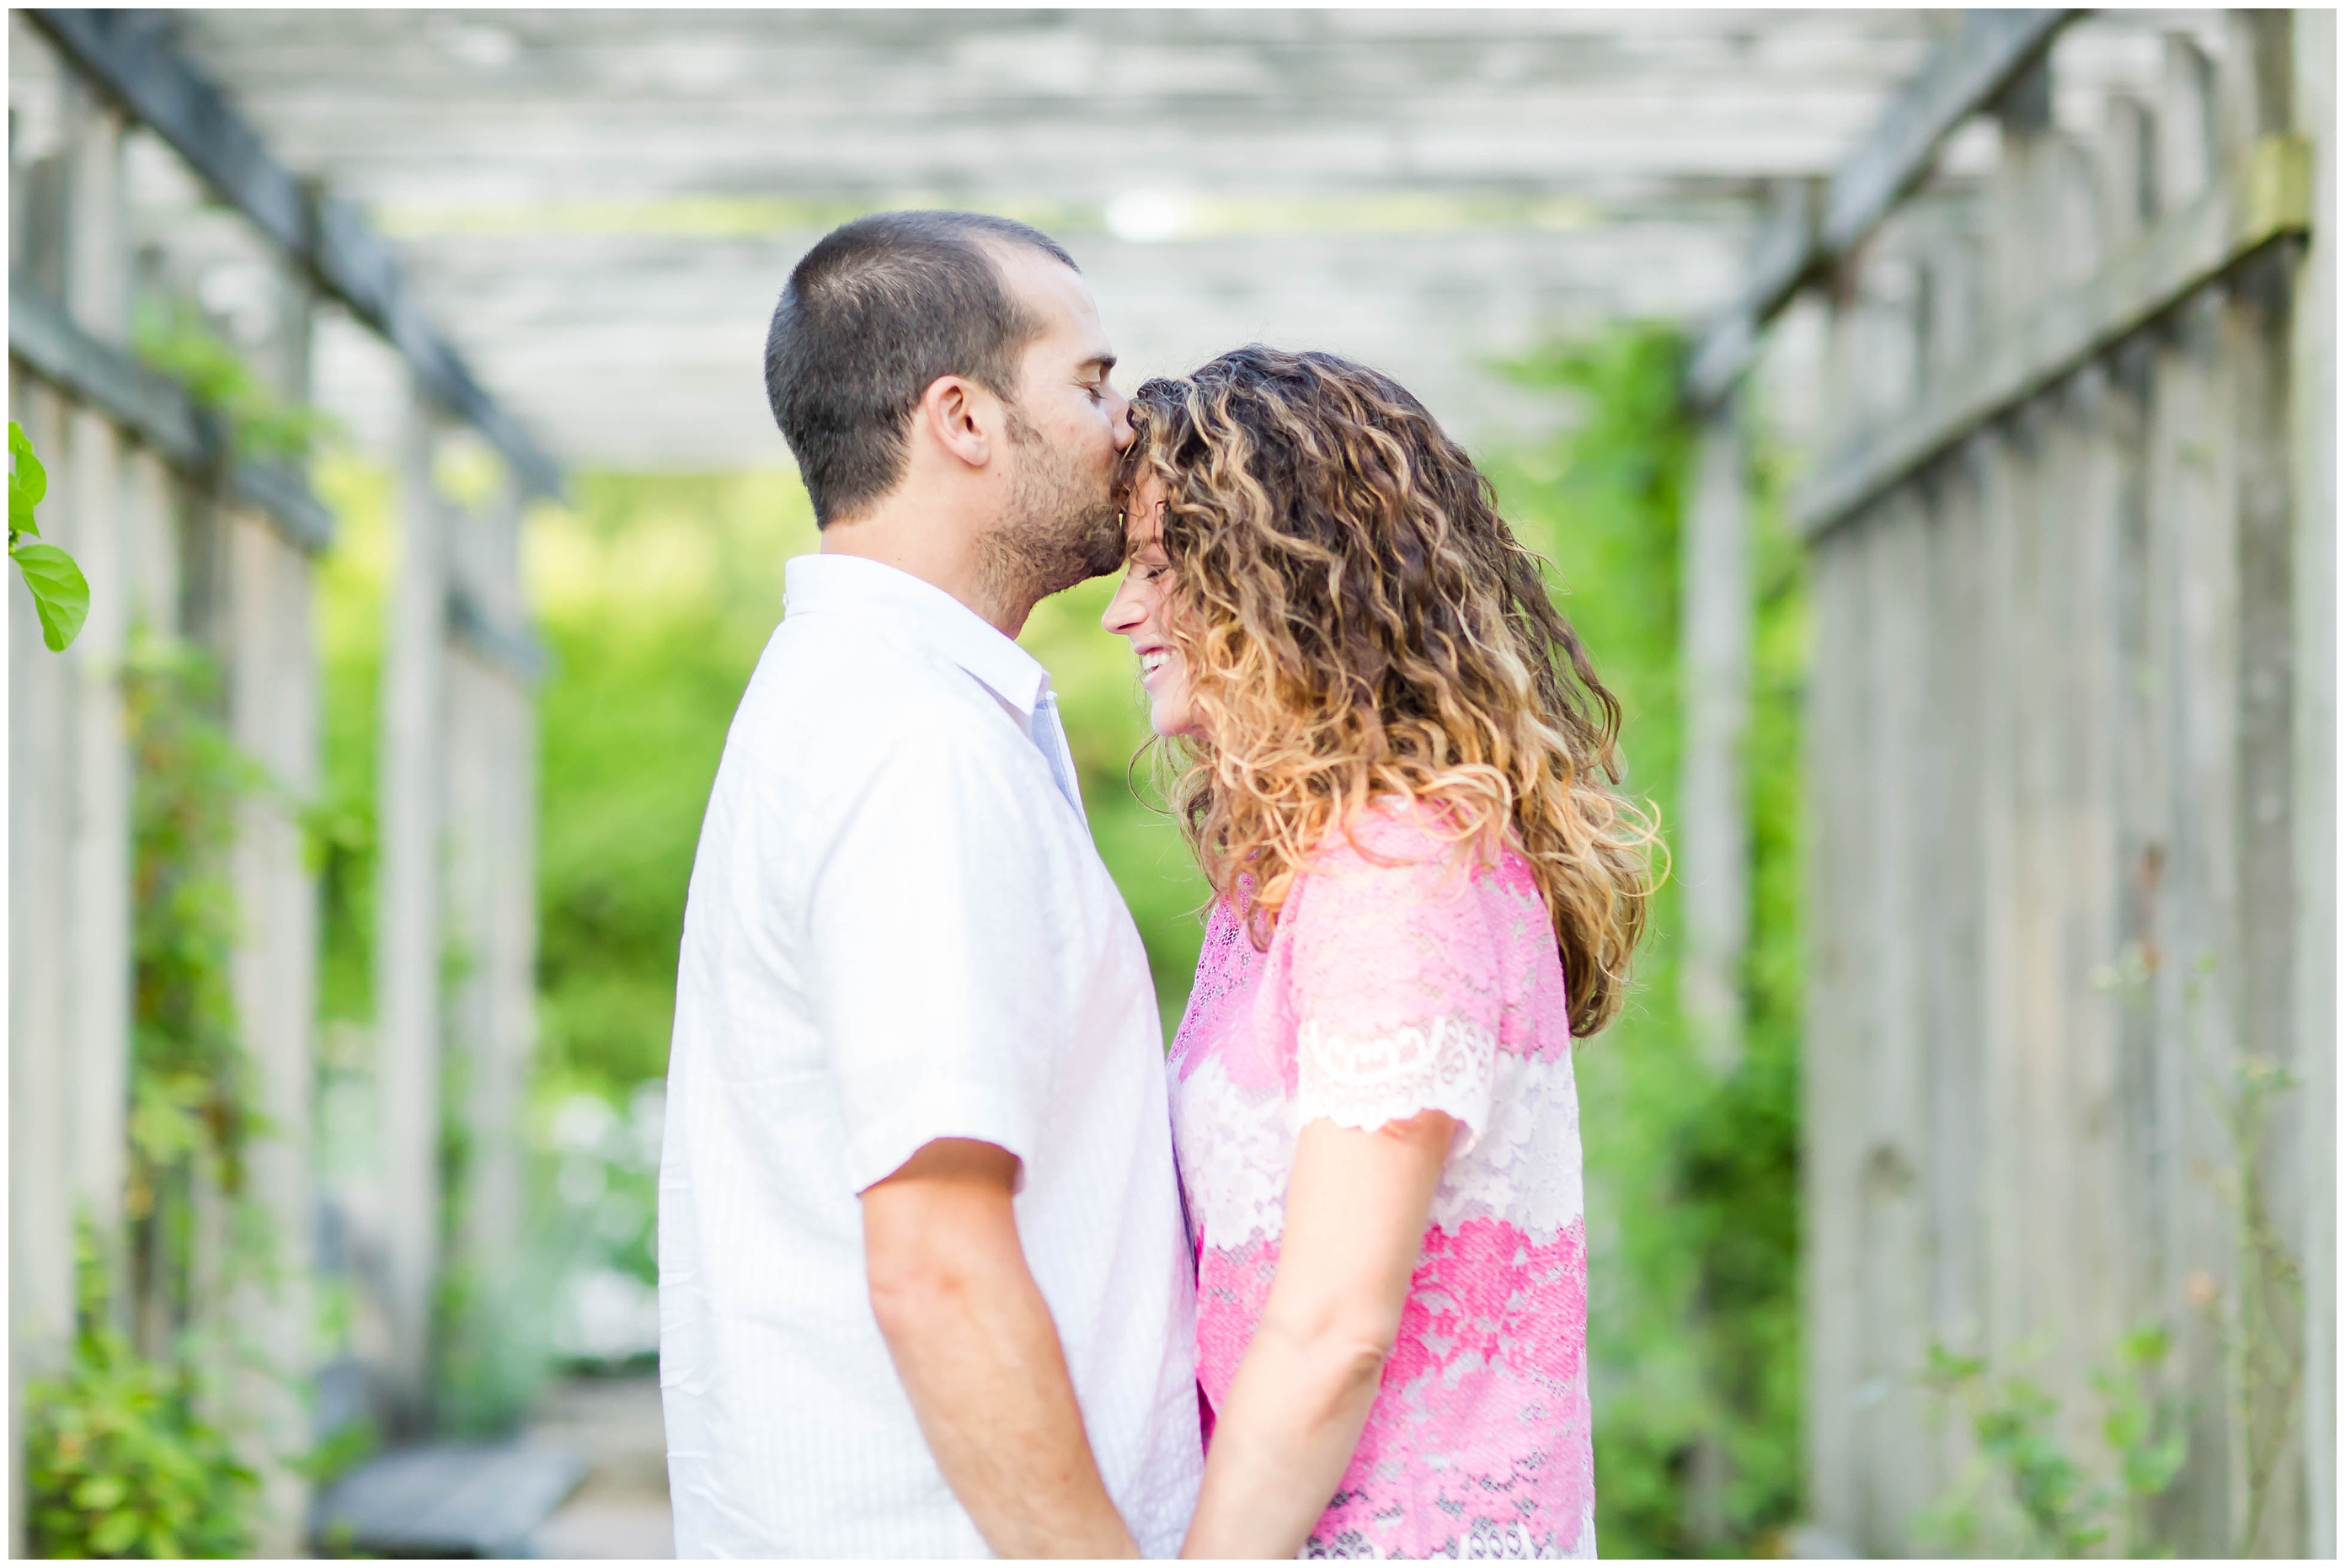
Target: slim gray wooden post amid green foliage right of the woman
x,y
1713,838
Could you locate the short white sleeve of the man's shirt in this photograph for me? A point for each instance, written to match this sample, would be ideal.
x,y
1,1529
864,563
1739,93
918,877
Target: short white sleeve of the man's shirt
x,y
937,955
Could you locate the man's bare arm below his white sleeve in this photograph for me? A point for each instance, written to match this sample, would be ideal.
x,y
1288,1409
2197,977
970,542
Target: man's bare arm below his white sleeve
x,y
979,1354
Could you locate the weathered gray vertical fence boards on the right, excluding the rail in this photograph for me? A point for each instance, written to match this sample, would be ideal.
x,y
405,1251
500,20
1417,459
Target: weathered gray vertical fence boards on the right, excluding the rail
x,y
2107,622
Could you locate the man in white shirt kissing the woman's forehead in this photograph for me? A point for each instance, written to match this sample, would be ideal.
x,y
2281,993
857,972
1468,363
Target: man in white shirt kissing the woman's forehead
x,y
923,1276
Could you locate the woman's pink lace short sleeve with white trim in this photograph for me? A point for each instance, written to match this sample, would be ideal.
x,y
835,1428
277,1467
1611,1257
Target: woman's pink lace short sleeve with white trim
x,y
1394,988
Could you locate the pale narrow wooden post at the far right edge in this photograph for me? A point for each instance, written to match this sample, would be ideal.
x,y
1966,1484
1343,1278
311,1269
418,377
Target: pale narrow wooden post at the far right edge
x,y
2313,418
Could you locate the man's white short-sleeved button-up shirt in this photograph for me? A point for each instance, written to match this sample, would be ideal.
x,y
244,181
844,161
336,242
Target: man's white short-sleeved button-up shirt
x,y
902,932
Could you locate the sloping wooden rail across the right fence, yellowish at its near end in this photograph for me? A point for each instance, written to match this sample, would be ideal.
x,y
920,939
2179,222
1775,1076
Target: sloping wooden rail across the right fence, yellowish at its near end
x,y
2264,200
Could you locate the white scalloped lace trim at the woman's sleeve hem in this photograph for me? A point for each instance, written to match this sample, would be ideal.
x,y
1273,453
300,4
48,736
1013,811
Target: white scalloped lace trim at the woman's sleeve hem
x,y
1446,1065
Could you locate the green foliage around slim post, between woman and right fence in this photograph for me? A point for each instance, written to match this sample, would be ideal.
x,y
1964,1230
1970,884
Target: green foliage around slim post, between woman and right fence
x,y
1692,1175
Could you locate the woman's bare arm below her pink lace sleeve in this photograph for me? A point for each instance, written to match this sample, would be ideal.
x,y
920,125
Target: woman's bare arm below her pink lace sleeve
x,y
1284,1438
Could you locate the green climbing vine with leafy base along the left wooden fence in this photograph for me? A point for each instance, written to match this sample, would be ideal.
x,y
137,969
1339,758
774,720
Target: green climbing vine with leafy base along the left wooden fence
x,y
123,1457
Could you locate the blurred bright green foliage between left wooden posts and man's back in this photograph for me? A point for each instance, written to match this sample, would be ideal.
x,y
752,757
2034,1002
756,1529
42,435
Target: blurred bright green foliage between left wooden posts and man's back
x,y
658,596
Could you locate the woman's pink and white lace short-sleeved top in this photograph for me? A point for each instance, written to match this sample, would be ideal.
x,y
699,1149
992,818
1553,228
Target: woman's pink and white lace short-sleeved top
x,y
1392,990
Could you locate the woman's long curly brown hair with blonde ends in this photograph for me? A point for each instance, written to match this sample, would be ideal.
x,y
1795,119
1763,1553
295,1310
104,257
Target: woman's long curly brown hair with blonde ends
x,y
1361,622
